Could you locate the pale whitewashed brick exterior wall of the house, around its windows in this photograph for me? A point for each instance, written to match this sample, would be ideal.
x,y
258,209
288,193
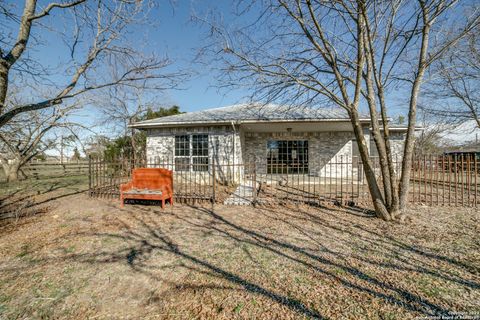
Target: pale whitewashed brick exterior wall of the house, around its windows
x,y
330,154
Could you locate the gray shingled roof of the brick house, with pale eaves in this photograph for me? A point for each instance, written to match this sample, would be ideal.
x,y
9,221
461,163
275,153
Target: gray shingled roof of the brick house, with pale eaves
x,y
248,113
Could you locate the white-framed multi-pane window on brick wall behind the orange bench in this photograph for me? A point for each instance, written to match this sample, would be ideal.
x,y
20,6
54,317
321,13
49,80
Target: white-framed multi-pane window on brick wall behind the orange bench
x,y
191,152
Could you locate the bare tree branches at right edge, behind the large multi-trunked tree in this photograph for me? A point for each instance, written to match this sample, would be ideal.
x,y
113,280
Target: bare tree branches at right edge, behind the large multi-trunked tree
x,y
453,92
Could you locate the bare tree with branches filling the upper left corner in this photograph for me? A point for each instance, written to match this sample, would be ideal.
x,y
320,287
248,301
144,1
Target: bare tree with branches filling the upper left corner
x,y
96,34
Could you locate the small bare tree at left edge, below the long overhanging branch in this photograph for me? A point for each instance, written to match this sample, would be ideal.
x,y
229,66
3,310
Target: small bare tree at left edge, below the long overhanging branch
x,y
32,133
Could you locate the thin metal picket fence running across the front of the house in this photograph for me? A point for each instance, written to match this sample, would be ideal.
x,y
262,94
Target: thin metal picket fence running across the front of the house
x,y
435,180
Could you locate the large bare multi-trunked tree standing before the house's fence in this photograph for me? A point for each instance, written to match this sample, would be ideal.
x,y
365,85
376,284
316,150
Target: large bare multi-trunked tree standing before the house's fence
x,y
343,52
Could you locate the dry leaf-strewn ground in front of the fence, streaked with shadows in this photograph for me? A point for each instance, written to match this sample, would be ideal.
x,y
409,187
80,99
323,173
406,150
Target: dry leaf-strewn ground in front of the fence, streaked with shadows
x,y
88,258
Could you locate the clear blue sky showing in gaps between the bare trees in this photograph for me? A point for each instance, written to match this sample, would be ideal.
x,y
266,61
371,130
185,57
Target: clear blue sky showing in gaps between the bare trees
x,y
175,35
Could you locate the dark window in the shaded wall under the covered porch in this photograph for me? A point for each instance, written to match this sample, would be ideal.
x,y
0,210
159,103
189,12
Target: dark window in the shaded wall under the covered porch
x,y
287,156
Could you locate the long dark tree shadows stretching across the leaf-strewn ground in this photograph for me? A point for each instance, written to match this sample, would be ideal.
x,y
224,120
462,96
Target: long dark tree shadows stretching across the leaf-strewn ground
x,y
153,237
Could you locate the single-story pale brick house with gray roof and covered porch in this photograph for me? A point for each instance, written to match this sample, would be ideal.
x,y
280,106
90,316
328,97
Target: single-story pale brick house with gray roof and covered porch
x,y
276,139
